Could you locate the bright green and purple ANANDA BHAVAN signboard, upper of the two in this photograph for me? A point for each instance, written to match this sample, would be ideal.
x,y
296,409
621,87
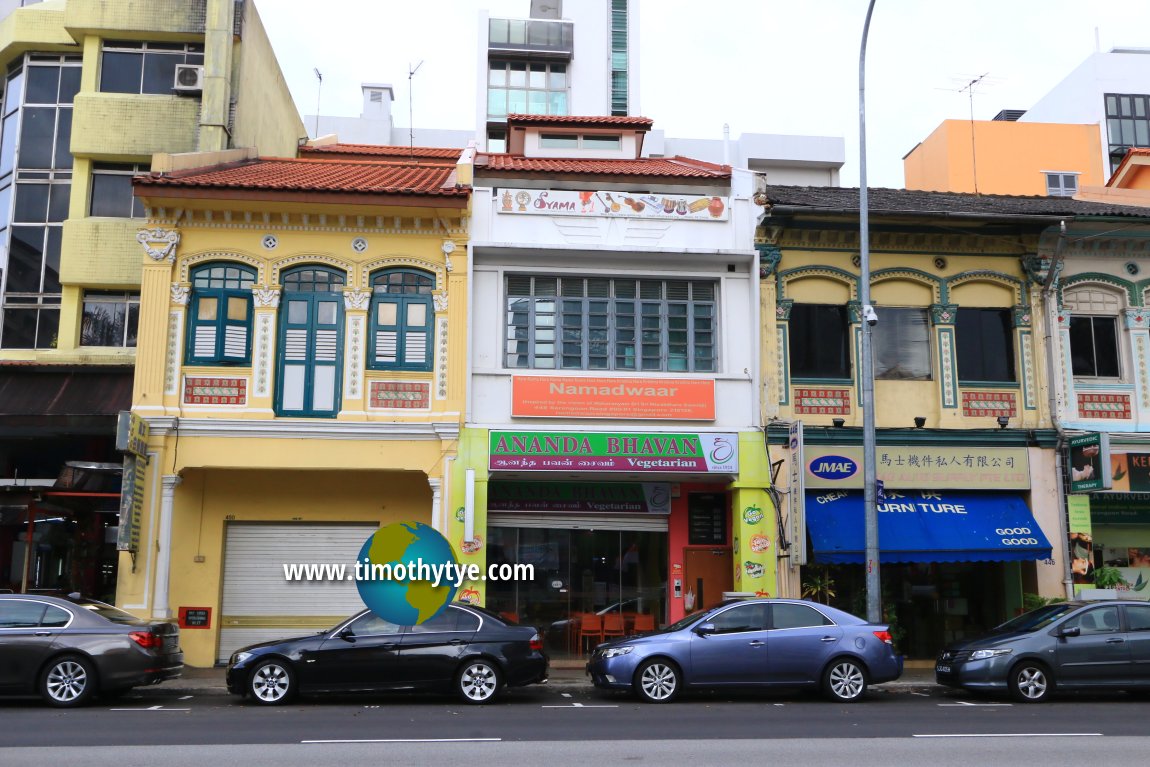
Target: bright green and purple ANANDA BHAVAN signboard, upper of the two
x,y
631,452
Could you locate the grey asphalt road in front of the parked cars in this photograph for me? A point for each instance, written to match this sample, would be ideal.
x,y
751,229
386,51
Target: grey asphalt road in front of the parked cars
x,y
587,722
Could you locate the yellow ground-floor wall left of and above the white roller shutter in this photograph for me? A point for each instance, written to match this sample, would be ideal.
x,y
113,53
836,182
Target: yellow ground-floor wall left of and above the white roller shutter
x,y
205,501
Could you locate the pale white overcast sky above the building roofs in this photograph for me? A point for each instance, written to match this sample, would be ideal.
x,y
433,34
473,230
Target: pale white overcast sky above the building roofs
x,y
762,66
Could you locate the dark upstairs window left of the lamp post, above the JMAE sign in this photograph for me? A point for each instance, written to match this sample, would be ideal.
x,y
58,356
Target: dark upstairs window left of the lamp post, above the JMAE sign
x,y
819,342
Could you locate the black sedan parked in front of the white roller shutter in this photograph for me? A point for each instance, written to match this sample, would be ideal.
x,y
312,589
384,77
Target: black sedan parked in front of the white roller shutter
x,y
467,650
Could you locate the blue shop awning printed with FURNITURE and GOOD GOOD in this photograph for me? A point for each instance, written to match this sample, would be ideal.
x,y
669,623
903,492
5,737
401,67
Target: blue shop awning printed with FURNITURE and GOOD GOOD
x,y
926,527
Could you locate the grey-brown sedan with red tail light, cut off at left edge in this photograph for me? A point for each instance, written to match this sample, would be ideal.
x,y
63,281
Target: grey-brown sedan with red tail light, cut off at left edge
x,y
70,650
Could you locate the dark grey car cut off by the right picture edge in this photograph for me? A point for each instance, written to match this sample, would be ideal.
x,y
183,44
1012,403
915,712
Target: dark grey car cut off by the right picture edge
x,y
1070,646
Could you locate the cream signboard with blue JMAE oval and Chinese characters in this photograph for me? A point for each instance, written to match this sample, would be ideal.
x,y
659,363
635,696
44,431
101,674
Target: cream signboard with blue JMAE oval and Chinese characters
x,y
910,469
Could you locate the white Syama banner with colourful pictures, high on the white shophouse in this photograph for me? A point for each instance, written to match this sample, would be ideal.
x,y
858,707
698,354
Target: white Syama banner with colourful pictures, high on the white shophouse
x,y
614,205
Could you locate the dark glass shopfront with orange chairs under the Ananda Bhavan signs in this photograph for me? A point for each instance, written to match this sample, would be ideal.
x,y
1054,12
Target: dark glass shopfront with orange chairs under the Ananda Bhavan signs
x,y
589,585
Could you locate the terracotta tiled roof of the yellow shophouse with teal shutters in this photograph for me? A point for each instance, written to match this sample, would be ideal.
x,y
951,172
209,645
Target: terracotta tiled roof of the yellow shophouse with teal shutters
x,y
339,177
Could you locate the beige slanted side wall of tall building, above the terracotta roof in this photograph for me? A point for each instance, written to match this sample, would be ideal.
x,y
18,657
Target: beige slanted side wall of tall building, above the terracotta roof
x,y
266,117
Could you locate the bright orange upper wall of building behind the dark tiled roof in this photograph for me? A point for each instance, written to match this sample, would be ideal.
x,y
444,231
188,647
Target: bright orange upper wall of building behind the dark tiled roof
x,y
1013,157
